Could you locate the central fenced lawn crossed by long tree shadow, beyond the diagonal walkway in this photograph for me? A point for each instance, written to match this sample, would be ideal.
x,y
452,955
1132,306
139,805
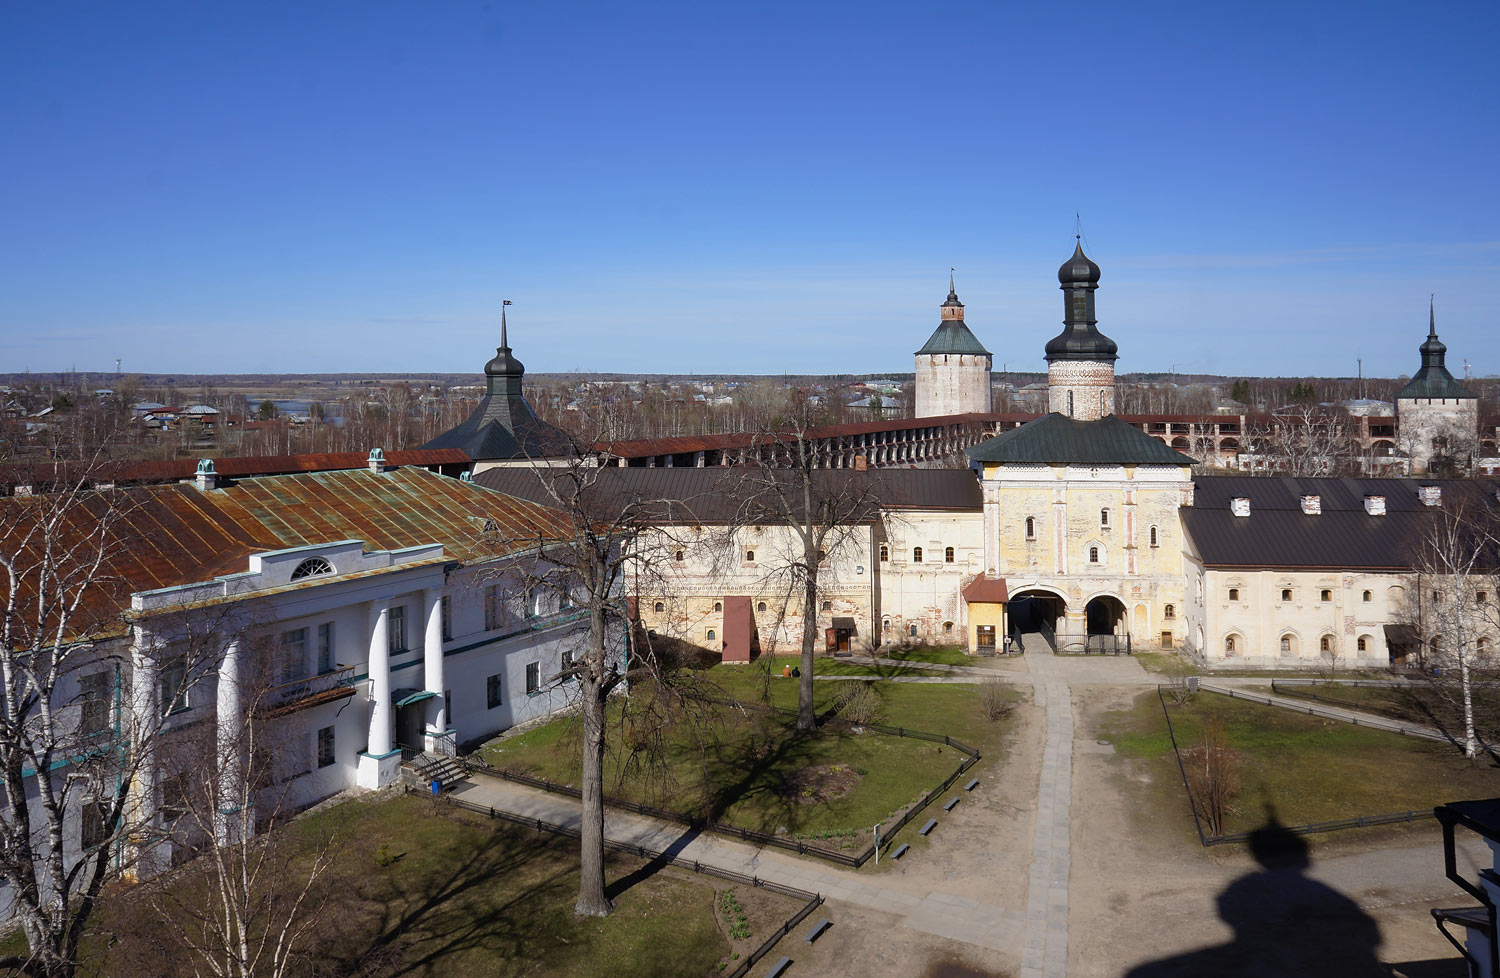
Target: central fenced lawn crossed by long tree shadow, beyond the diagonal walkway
x,y
751,769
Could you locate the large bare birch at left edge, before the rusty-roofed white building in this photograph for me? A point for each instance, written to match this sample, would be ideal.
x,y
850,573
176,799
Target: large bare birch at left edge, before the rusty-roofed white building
x,y
73,755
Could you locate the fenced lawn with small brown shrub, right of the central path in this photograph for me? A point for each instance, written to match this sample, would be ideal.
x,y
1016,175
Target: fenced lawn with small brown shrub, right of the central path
x,y
1306,769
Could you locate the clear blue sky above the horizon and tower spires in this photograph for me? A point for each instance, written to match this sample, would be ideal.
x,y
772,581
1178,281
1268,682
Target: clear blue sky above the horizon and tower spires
x,y
1270,188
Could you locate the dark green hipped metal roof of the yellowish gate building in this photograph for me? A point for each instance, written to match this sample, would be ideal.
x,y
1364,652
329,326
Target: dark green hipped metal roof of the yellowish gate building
x,y
1055,439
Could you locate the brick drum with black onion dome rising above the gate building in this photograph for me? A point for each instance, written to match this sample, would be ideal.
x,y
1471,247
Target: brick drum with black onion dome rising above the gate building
x,y
1081,361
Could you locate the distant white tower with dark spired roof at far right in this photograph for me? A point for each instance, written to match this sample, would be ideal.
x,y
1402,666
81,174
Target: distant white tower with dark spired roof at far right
x,y
1438,419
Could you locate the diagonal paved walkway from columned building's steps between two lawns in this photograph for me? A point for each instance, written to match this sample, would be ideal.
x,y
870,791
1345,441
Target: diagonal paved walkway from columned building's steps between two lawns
x,y
928,911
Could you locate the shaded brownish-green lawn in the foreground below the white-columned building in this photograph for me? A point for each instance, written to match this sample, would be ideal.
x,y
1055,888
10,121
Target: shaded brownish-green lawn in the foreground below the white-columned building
x,y
461,895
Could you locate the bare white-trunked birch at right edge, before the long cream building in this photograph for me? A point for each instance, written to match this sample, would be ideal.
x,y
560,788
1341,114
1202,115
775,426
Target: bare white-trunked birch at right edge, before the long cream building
x,y
1451,604
